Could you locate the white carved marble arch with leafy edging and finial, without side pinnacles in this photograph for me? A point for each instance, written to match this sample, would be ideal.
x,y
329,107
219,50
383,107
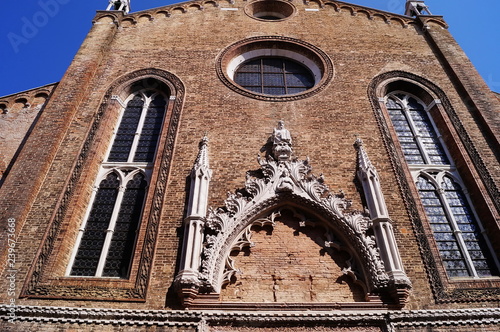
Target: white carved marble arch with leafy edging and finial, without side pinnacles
x,y
284,179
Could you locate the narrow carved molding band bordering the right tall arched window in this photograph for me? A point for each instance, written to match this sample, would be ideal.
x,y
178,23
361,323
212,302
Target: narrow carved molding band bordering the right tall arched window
x,y
442,292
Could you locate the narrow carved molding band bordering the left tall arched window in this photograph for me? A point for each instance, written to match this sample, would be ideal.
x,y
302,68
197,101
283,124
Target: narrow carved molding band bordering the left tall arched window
x,y
34,287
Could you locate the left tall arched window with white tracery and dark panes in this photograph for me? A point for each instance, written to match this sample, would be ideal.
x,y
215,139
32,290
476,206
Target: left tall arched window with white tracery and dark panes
x,y
106,239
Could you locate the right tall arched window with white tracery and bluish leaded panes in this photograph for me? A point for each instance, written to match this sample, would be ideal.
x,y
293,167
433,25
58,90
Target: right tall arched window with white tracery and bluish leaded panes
x,y
460,238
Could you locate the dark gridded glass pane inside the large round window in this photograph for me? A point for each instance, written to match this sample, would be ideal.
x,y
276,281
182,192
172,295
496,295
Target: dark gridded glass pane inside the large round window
x,y
274,76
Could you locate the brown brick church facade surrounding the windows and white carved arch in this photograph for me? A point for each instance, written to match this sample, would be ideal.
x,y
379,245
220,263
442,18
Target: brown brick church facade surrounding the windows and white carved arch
x,y
186,48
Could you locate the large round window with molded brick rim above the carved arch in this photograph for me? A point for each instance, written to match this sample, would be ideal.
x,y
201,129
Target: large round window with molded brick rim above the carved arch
x,y
274,68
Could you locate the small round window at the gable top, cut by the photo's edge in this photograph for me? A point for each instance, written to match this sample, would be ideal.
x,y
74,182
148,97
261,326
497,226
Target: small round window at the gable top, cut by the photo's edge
x,y
267,10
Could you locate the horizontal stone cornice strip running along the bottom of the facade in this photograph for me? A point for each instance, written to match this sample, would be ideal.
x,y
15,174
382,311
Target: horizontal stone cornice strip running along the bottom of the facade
x,y
388,320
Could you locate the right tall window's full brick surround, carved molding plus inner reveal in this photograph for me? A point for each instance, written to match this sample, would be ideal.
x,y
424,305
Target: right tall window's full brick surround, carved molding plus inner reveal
x,y
479,182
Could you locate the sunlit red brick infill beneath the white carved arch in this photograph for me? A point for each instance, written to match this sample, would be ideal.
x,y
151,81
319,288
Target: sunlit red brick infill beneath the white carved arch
x,y
289,264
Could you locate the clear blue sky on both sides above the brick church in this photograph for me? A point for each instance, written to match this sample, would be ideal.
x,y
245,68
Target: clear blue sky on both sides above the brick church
x,y
39,38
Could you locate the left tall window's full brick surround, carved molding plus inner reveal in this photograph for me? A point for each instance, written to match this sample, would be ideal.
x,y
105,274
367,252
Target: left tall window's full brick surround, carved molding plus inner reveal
x,y
42,281
